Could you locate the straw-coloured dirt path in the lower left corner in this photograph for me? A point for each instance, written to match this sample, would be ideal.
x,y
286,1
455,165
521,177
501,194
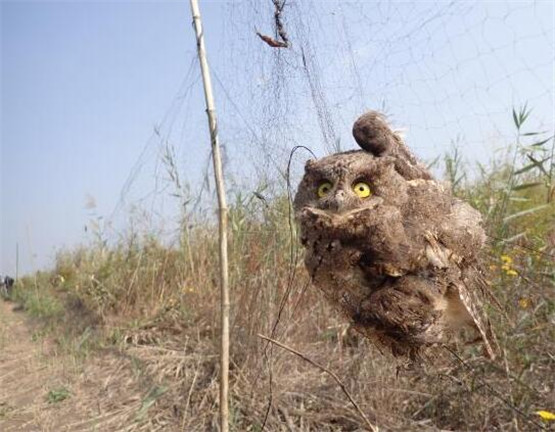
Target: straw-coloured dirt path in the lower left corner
x,y
43,390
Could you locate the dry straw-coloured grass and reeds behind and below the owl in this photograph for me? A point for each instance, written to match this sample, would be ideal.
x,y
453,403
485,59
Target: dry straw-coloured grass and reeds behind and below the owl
x,y
159,307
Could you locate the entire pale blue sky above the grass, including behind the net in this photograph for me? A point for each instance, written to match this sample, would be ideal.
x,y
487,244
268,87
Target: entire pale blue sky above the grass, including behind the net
x,y
84,85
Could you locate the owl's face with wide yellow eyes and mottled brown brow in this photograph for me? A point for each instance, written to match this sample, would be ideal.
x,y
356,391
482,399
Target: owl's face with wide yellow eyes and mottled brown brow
x,y
349,181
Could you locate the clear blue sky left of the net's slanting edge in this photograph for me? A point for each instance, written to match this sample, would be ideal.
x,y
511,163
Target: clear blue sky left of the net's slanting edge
x,y
82,87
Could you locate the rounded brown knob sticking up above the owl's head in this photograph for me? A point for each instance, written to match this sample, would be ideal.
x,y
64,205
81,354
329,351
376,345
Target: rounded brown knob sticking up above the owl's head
x,y
373,134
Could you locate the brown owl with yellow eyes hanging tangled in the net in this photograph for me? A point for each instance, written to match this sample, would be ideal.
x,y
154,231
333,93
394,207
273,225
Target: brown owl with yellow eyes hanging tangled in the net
x,y
389,245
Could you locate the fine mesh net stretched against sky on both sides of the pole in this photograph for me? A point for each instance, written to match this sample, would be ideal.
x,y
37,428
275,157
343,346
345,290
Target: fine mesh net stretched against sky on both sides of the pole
x,y
448,73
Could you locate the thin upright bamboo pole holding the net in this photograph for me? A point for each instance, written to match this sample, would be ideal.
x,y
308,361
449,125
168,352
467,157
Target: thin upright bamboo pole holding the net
x,y
222,207
